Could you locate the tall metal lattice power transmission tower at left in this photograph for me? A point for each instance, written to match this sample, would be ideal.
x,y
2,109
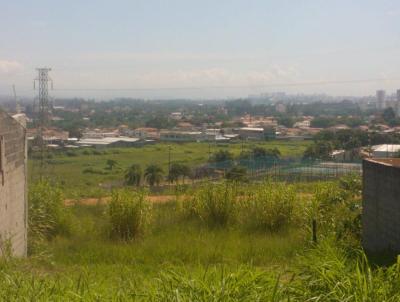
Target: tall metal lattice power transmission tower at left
x,y
44,108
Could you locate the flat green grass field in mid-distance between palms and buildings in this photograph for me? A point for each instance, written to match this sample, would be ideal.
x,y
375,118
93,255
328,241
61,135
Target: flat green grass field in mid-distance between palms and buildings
x,y
69,170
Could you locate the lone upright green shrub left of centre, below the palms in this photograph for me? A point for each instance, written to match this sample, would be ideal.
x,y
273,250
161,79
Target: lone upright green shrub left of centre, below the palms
x,y
129,213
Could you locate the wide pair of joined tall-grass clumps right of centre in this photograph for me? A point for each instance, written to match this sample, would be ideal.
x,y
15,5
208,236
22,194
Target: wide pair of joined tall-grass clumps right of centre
x,y
268,206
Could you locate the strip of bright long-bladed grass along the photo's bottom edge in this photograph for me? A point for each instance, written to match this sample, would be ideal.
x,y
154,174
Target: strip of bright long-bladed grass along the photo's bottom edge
x,y
322,273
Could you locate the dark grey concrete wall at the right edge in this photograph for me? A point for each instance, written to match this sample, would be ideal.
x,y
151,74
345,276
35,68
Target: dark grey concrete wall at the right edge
x,y
381,205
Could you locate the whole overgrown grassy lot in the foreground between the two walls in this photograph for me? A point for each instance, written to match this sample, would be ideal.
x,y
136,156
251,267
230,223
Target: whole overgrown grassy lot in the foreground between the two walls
x,y
182,256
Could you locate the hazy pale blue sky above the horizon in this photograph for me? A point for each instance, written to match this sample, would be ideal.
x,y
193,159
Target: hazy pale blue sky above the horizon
x,y
203,43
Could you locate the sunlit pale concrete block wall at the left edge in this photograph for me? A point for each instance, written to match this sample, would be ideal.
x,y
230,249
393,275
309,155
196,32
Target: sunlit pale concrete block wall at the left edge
x,y
13,206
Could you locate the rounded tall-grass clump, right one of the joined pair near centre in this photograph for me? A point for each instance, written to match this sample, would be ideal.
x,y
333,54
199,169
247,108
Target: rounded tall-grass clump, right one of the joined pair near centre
x,y
270,207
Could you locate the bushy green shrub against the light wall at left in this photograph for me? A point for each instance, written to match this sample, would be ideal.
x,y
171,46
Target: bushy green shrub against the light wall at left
x,y
47,215
